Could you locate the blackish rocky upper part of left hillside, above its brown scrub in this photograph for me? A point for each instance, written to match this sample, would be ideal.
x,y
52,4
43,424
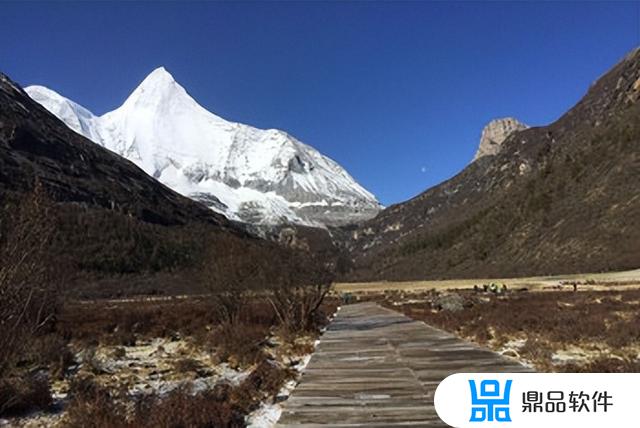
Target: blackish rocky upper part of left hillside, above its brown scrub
x,y
34,144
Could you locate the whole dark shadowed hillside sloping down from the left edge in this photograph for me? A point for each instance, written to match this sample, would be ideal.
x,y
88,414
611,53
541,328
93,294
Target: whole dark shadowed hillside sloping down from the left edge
x,y
114,223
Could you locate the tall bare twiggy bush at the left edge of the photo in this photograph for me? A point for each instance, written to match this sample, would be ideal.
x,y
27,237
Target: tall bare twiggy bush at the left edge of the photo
x,y
27,279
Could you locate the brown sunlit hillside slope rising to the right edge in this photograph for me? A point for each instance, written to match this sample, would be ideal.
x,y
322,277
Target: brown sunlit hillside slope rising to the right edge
x,y
554,199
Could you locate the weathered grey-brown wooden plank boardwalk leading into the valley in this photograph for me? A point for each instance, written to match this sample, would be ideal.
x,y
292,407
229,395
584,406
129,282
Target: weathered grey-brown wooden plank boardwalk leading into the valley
x,y
375,367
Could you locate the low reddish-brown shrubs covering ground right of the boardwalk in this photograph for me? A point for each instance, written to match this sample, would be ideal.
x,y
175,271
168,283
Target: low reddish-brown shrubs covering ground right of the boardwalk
x,y
549,320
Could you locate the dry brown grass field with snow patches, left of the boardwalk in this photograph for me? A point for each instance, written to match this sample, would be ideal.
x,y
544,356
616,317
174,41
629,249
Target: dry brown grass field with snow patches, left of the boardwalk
x,y
159,363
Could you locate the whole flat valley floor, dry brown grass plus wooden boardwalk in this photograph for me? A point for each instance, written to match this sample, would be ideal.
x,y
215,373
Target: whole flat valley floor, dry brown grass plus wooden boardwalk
x,y
122,363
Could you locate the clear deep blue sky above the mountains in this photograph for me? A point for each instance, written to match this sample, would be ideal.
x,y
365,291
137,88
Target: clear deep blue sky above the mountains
x,y
395,92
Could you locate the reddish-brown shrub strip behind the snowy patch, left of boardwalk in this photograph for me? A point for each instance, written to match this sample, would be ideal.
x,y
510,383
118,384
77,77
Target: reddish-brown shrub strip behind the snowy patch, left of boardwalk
x,y
123,323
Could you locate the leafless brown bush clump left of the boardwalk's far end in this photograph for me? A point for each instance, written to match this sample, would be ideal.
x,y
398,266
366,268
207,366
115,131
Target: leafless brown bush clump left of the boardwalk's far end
x,y
292,283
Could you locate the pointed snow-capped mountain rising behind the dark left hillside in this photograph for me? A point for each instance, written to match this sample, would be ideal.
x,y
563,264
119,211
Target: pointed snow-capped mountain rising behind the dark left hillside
x,y
249,174
